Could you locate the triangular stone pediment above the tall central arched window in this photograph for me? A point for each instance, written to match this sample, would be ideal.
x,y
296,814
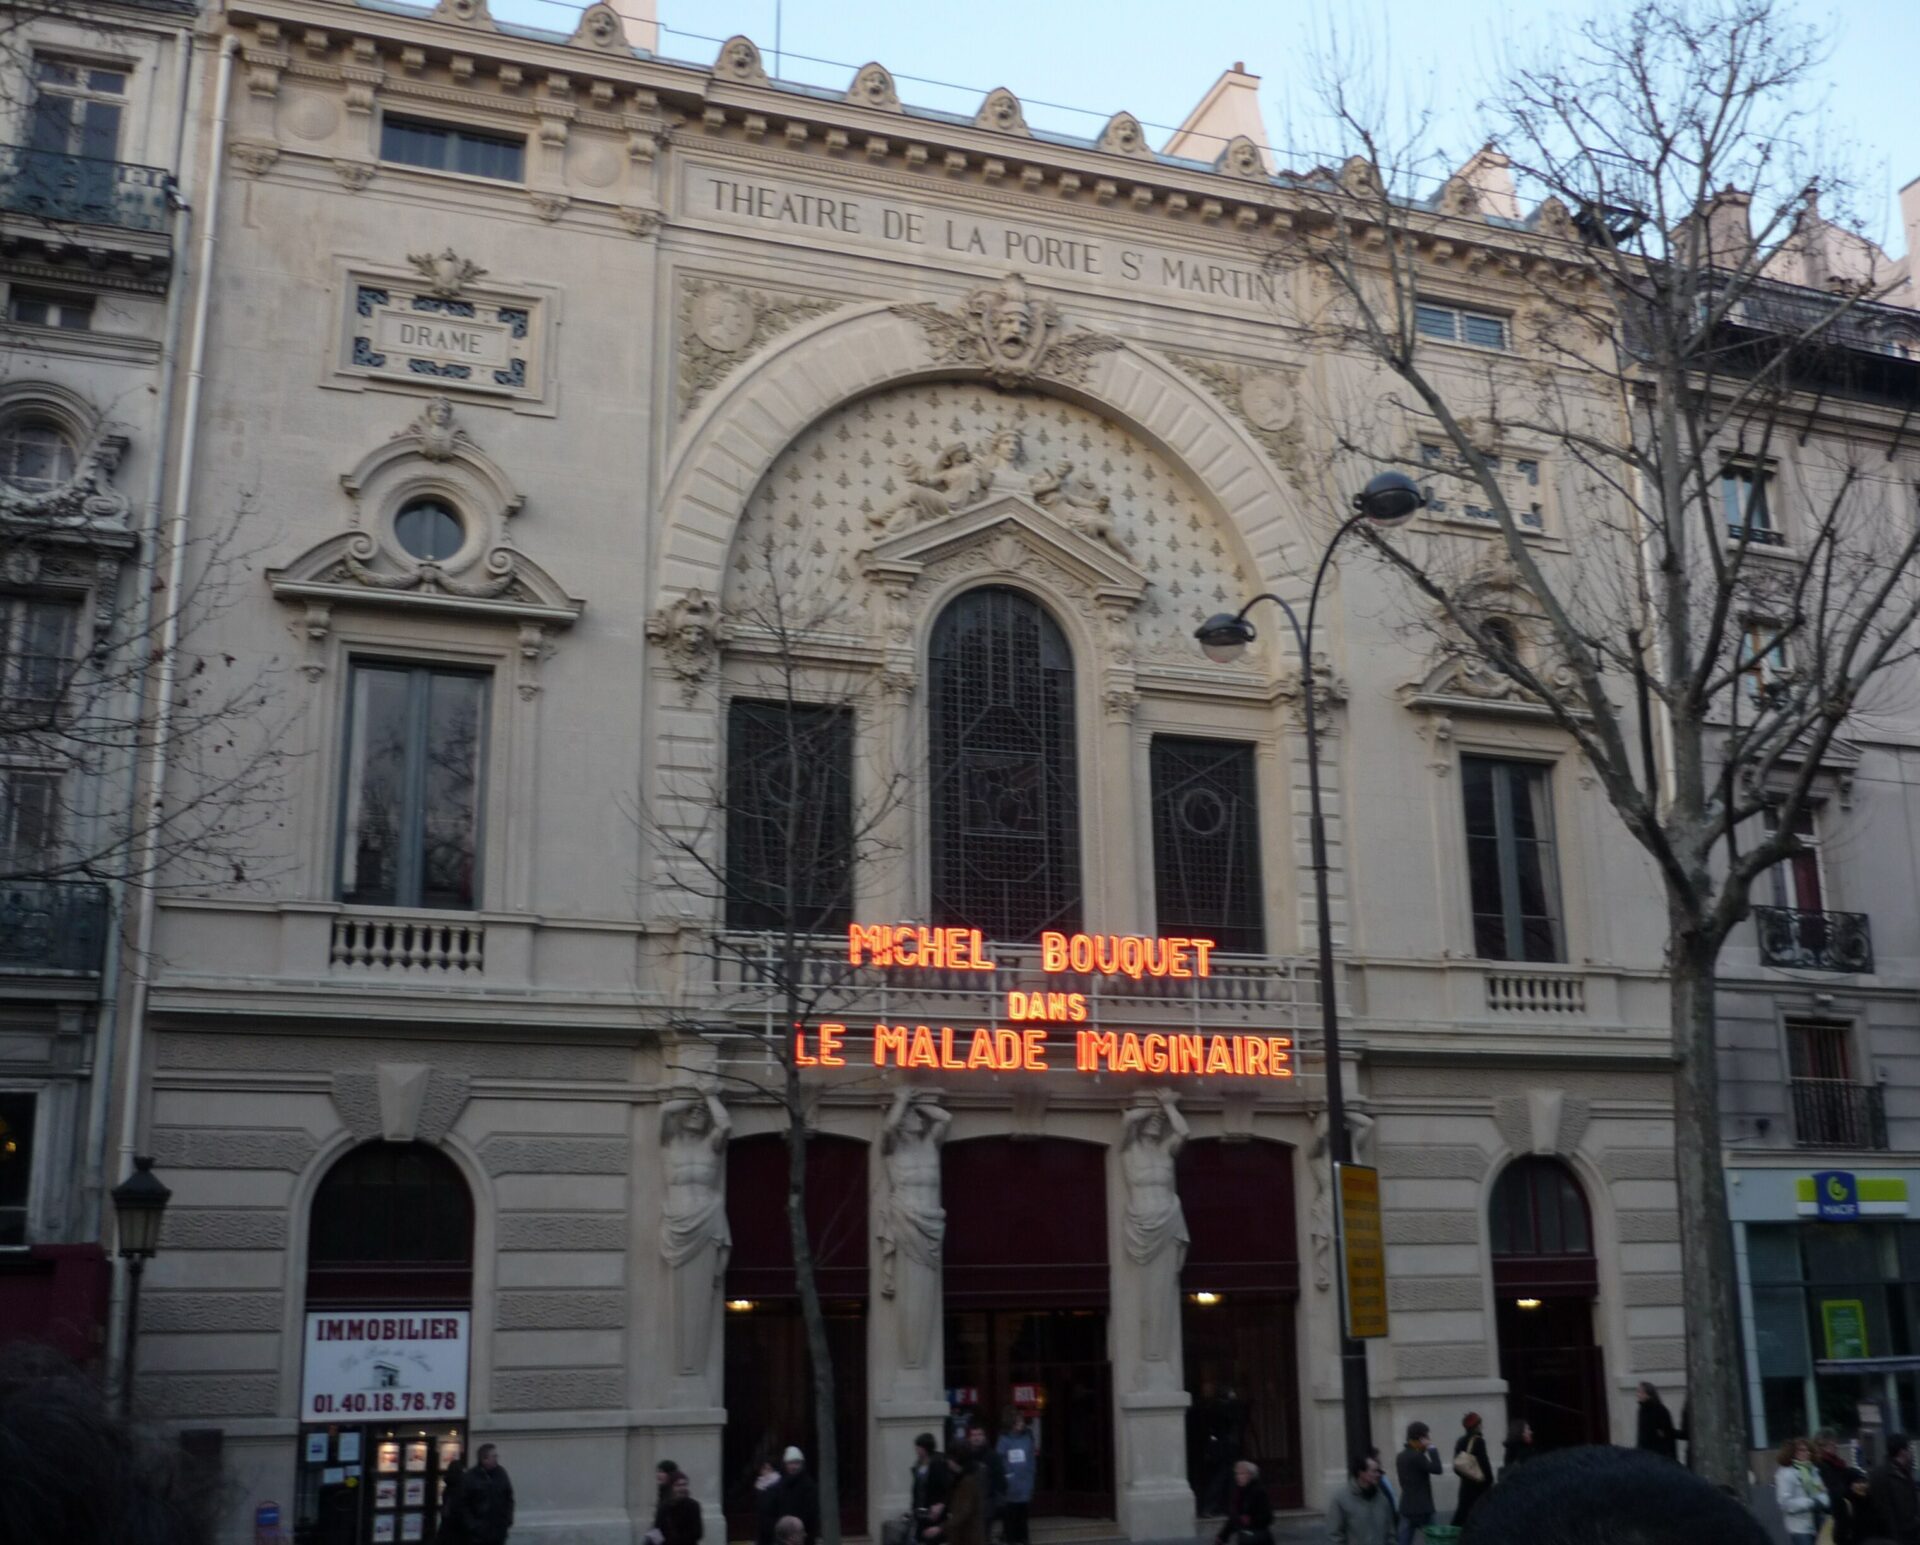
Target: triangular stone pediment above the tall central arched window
x,y
1011,531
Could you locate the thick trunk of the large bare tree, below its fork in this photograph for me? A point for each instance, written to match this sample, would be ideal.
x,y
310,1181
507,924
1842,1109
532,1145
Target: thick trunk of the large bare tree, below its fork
x,y
1717,1440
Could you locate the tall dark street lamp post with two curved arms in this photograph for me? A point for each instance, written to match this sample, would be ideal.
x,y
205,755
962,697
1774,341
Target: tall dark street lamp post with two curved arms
x,y
1389,500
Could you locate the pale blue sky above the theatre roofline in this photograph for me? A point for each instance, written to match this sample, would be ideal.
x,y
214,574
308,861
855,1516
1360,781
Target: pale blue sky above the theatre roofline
x,y
1157,59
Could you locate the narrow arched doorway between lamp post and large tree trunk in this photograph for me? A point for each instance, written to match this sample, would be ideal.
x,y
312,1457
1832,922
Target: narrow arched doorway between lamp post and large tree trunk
x,y
1545,1289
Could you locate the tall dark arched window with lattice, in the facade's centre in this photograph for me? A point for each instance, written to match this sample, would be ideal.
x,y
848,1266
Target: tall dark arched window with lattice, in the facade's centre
x,y
1003,769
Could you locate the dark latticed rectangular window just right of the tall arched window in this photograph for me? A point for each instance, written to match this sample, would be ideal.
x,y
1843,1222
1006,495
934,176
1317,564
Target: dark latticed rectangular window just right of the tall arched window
x,y
1207,844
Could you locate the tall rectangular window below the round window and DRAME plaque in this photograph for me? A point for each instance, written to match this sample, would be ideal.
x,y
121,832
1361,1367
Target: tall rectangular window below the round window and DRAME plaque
x,y
410,832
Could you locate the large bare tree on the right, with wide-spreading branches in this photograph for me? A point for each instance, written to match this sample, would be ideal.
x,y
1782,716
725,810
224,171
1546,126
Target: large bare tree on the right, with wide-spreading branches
x,y
1643,368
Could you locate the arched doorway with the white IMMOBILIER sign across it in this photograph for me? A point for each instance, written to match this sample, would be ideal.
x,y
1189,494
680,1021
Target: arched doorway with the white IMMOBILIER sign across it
x,y
391,1252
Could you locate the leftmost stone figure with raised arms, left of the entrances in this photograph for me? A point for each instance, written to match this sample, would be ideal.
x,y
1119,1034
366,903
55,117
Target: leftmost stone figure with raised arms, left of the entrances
x,y
694,1235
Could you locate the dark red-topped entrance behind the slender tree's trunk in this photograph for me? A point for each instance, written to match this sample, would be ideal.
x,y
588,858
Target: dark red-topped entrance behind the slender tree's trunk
x,y
769,1375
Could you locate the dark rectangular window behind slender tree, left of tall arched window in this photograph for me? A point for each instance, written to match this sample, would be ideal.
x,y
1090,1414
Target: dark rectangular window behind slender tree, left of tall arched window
x,y
788,817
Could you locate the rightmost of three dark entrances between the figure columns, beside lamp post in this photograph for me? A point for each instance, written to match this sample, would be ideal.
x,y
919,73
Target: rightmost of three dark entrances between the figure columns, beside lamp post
x,y
1237,1318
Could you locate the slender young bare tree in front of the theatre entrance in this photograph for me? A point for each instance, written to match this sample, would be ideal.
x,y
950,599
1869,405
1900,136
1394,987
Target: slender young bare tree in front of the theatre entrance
x,y
773,853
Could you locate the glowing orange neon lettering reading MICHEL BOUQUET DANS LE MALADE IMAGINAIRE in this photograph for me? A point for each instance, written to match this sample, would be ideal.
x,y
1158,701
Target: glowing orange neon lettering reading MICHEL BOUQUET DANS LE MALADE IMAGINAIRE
x,y
1044,1030
